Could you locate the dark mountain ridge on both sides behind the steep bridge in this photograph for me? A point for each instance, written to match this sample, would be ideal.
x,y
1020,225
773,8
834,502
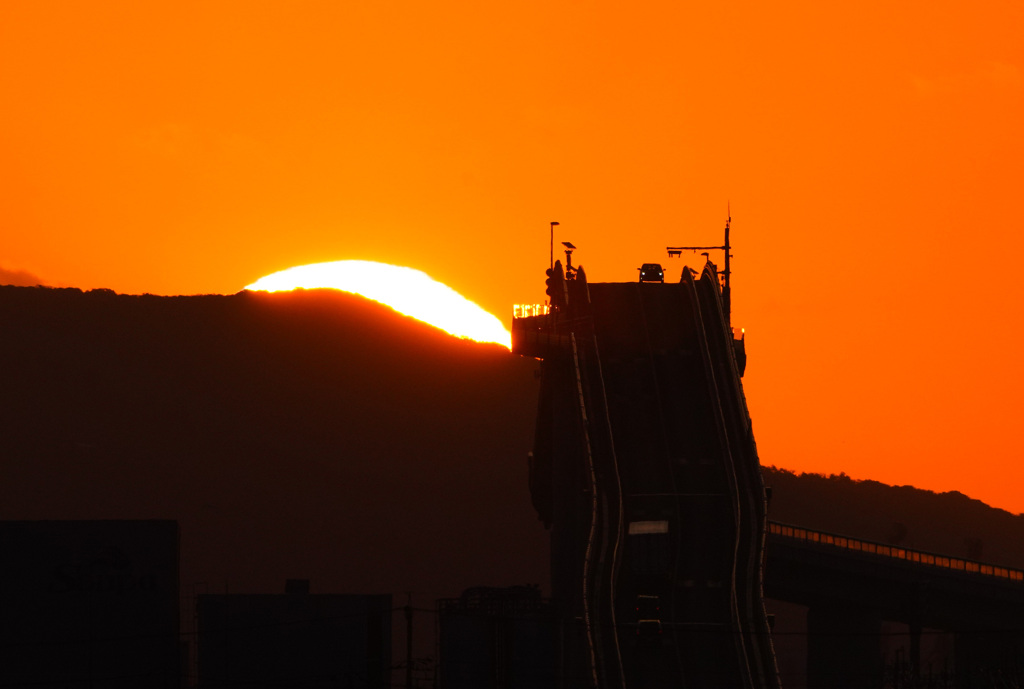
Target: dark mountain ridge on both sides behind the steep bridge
x,y
319,436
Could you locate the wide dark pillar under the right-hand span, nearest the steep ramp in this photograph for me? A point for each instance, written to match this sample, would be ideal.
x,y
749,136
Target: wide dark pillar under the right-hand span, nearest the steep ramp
x,y
843,648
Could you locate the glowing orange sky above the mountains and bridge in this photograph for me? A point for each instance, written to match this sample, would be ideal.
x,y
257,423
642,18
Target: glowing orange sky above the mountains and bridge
x,y
873,156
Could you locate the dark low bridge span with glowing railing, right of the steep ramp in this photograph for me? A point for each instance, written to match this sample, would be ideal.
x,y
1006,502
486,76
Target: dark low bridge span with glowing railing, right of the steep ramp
x,y
850,586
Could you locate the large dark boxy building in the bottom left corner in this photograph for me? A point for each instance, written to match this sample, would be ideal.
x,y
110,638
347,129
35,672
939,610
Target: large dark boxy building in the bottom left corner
x,y
90,605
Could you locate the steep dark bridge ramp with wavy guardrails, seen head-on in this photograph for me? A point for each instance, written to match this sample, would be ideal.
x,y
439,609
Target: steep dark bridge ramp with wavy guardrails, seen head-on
x,y
647,469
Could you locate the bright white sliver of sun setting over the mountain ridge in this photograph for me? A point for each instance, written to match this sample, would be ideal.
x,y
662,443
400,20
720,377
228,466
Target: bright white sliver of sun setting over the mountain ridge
x,y
406,290
